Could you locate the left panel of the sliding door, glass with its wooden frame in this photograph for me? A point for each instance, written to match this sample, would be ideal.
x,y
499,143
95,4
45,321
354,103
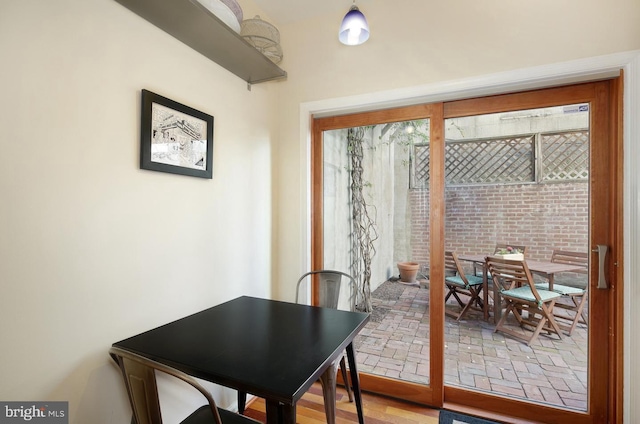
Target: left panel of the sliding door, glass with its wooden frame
x,y
362,174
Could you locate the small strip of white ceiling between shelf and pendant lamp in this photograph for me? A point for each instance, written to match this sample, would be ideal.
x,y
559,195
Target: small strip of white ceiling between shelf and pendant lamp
x,y
288,11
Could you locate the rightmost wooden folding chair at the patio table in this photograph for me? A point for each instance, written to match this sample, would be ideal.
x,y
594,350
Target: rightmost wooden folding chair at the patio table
x,y
576,290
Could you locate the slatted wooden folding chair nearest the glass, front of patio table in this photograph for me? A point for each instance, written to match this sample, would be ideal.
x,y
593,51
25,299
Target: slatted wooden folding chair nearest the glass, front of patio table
x,y
515,284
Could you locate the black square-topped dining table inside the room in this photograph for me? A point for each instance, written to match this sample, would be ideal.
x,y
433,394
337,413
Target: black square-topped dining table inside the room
x,y
271,349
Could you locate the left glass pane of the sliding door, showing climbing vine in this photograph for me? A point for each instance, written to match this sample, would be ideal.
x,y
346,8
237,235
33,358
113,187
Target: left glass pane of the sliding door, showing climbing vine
x,y
374,219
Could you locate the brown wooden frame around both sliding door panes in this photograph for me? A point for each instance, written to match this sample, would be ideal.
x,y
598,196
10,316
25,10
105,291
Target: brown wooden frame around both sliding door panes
x,y
458,398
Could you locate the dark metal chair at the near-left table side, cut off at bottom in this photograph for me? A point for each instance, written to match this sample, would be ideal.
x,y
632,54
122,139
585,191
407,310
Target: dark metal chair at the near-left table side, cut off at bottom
x,y
139,375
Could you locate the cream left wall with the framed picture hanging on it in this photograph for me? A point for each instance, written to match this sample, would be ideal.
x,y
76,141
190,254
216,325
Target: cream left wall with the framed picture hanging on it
x,y
93,249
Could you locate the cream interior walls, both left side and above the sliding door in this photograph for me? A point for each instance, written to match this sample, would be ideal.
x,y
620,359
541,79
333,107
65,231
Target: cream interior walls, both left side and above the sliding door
x,y
93,249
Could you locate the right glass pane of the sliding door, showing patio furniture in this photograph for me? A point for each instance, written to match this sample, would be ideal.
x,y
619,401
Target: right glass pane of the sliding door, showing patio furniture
x,y
517,183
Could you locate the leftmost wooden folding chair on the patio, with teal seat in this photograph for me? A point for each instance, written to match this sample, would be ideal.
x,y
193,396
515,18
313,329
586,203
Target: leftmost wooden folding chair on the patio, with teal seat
x,y
460,283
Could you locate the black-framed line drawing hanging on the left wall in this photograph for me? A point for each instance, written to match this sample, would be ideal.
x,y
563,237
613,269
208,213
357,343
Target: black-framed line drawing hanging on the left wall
x,y
175,138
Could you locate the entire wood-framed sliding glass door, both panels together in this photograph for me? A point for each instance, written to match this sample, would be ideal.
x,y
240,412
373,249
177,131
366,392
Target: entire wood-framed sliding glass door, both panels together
x,y
532,171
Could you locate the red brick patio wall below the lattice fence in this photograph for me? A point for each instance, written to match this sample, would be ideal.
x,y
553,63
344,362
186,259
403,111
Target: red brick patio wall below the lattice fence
x,y
542,217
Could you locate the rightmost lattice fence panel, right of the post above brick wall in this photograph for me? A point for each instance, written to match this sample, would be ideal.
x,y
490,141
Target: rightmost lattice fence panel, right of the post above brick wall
x,y
565,156
